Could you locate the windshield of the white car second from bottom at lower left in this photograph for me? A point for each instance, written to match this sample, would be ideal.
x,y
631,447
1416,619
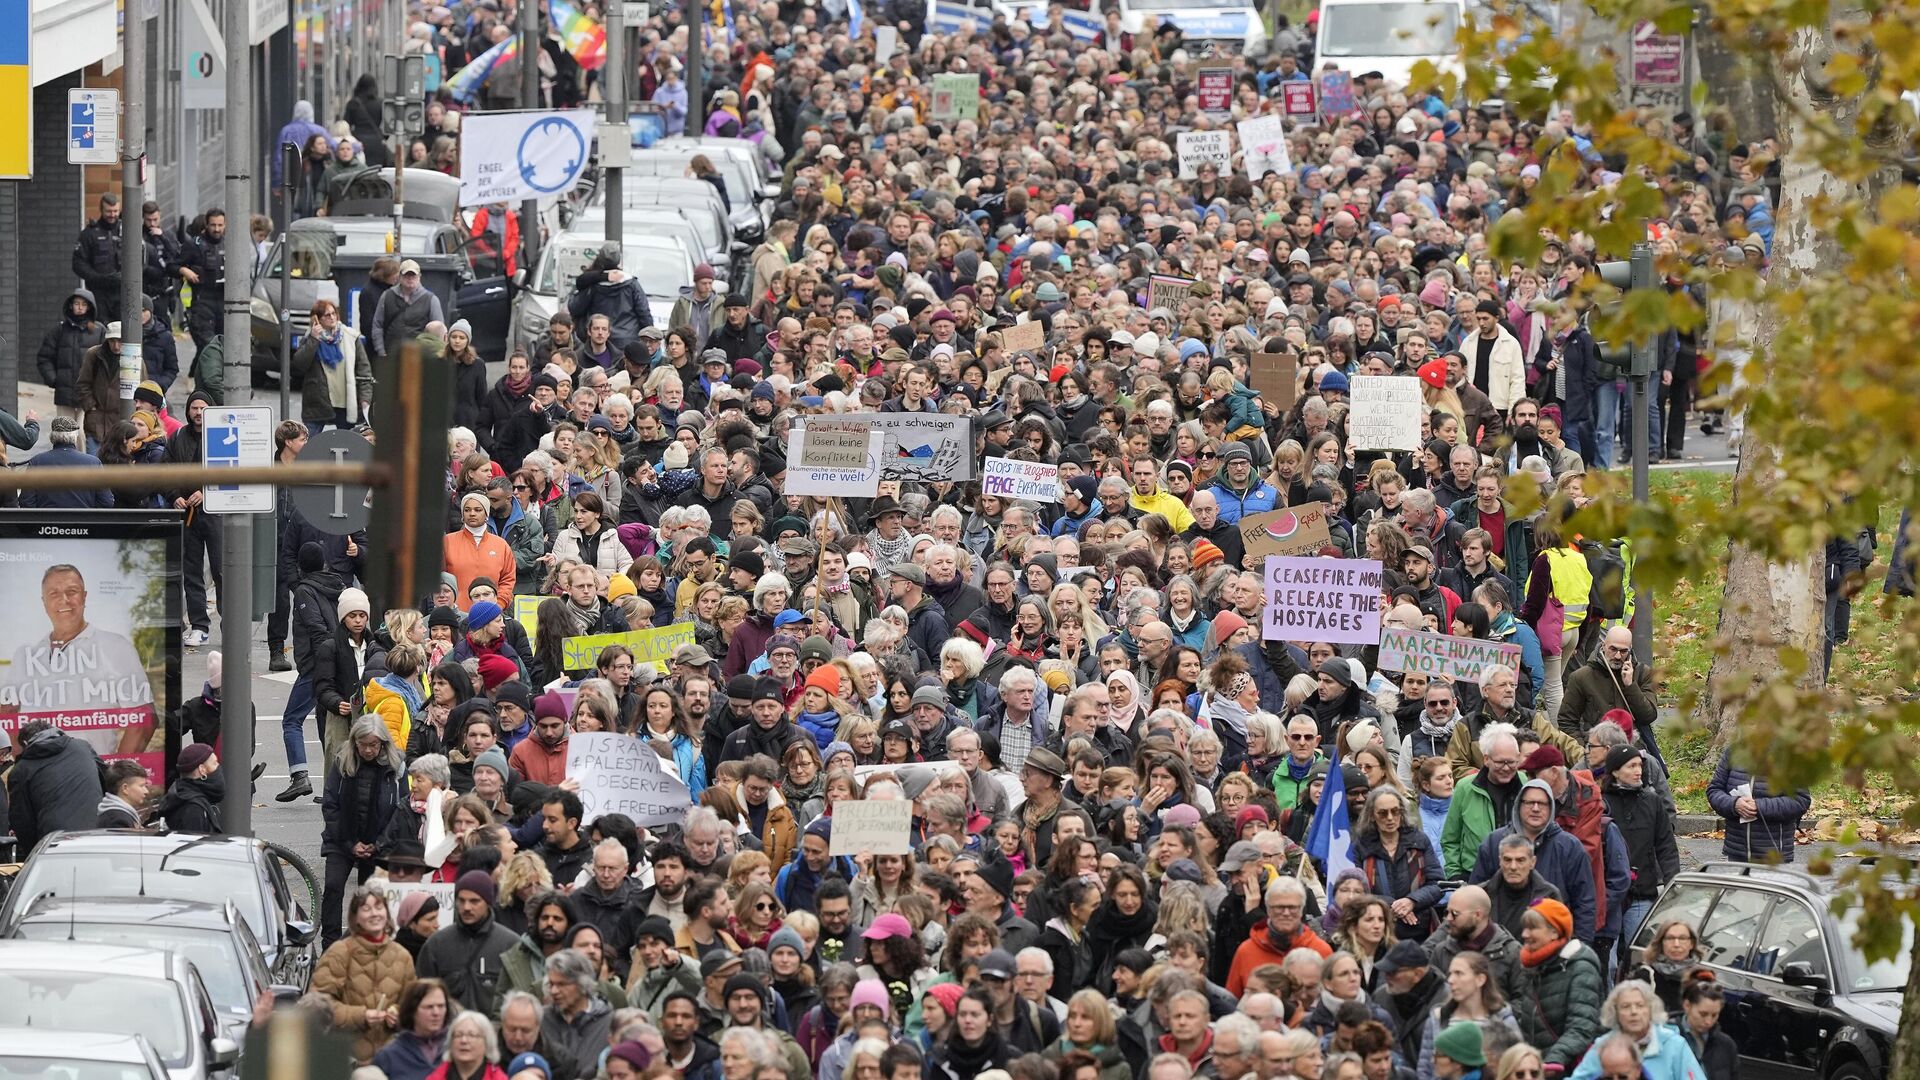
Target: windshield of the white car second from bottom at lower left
x,y
66,1002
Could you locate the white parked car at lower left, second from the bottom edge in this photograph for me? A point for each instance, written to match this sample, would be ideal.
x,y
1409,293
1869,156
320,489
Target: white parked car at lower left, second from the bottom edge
x,y
149,993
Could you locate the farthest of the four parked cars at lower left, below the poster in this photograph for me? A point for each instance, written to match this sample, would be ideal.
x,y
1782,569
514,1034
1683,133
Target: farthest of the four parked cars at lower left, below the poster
x,y
204,870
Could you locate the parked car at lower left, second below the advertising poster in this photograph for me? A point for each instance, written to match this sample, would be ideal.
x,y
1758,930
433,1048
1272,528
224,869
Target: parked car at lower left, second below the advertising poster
x,y
214,937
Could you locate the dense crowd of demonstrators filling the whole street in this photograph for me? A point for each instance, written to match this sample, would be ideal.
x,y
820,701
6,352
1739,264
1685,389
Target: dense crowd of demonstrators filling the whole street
x,y
1118,862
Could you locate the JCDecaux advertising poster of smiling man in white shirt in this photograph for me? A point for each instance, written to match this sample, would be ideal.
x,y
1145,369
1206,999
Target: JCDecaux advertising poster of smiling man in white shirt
x,y
93,633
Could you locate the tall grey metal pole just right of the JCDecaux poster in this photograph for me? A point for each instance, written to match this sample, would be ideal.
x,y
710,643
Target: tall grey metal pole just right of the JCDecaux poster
x,y
237,529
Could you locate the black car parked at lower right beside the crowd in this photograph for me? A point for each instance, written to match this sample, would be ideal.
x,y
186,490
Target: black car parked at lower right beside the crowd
x,y
1802,1002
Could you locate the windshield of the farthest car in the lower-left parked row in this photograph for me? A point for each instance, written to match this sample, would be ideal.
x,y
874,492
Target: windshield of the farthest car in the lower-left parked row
x,y
112,875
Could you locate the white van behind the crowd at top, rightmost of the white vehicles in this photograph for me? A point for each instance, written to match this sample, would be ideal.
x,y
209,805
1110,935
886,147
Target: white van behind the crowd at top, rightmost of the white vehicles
x,y
1389,37
